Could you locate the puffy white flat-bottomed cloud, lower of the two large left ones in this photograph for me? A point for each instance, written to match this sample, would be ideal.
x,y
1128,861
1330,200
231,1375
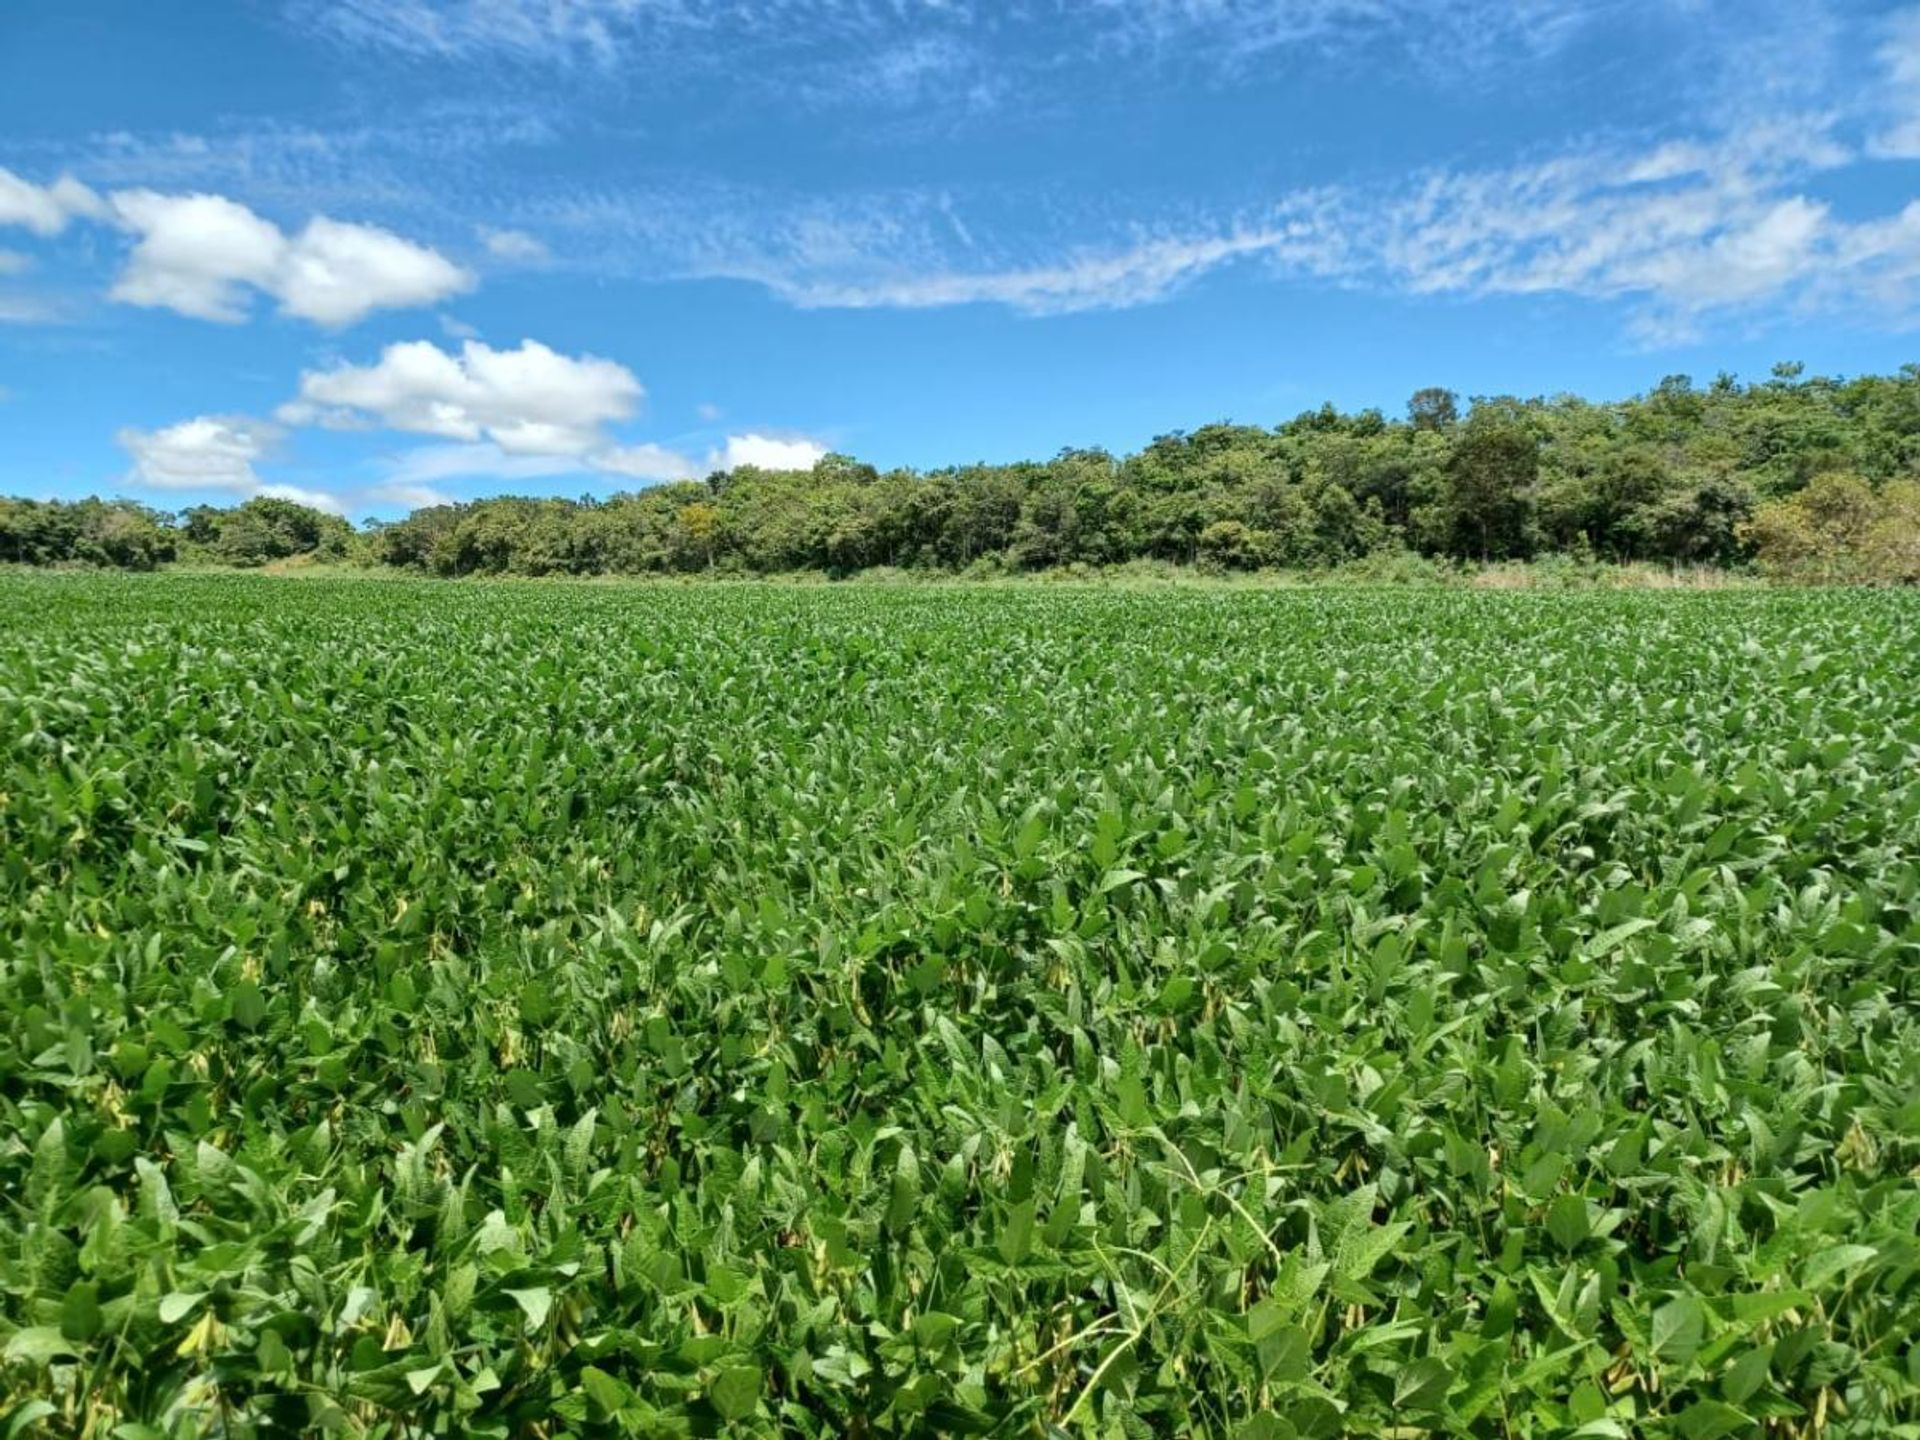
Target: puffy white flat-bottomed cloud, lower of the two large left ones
x,y
529,400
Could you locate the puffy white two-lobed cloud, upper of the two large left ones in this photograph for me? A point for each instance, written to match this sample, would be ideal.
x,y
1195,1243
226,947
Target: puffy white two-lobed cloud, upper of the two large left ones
x,y
206,256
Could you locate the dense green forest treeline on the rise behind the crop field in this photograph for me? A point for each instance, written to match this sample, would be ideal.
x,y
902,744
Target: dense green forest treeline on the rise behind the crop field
x,y
1810,477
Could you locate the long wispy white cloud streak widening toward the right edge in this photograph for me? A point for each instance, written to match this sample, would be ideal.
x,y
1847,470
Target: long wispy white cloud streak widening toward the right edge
x,y
1679,231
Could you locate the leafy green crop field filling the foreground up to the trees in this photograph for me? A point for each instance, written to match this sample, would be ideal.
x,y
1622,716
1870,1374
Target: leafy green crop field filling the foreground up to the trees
x,y
907,1013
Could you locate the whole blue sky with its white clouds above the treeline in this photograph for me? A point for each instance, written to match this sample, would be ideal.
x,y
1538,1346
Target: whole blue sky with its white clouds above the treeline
x,y
381,252
